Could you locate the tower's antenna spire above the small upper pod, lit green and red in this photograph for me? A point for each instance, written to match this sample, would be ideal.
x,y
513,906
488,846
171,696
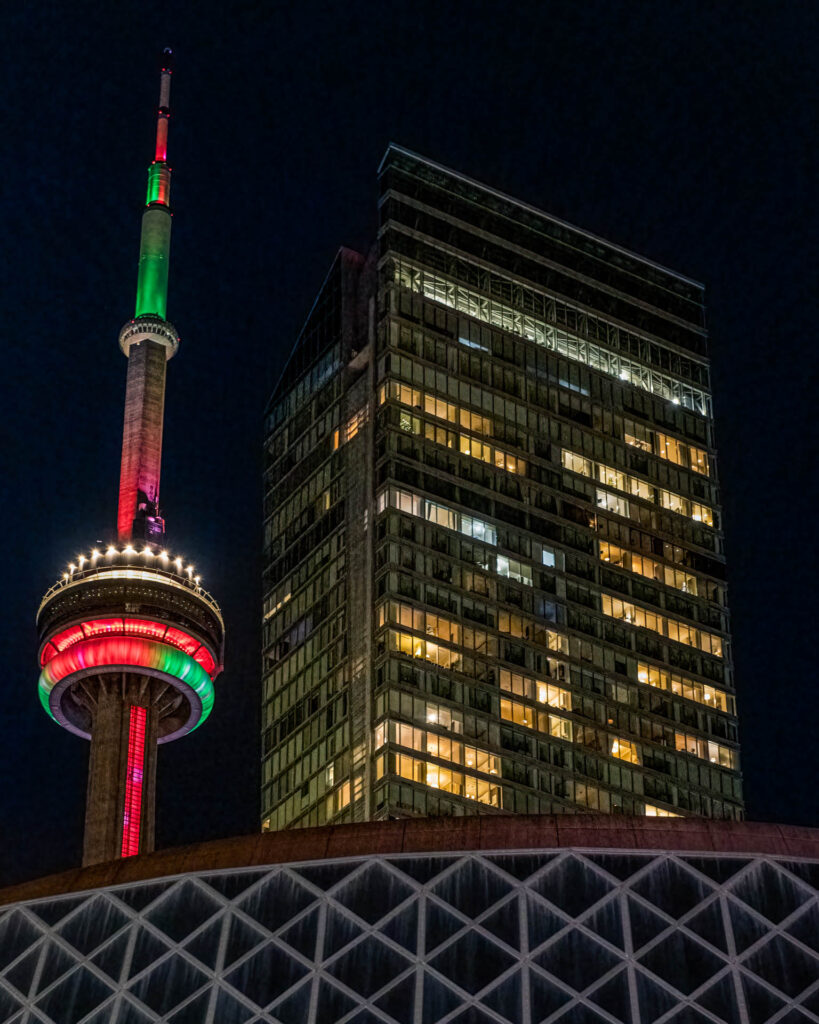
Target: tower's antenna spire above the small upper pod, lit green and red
x,y
155,246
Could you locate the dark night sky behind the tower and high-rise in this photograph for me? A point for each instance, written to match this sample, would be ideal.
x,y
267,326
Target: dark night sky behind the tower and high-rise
x,y
685,132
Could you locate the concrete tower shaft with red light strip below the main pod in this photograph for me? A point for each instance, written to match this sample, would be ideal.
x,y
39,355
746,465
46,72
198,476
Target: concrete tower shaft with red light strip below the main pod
x,y
120,812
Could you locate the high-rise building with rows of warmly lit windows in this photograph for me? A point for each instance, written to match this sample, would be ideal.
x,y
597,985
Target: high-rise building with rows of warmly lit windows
x,y
494,570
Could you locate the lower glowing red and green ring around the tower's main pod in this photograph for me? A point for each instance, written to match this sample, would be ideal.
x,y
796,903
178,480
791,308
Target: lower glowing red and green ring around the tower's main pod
x,y
127,653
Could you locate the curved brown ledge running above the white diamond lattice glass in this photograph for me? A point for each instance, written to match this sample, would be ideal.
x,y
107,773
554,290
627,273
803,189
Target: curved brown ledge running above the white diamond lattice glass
x,y
437,836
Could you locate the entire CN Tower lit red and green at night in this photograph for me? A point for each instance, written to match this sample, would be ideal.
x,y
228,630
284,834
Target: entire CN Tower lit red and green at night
x,y
131,643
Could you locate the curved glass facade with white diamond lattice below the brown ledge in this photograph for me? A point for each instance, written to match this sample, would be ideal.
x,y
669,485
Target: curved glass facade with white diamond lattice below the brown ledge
x,y
572,937
